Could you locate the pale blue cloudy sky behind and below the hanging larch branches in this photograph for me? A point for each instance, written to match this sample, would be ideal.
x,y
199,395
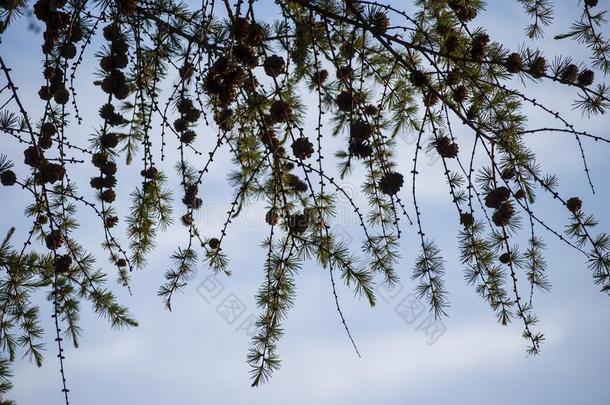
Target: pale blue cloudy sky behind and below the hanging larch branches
x,y
194,356
